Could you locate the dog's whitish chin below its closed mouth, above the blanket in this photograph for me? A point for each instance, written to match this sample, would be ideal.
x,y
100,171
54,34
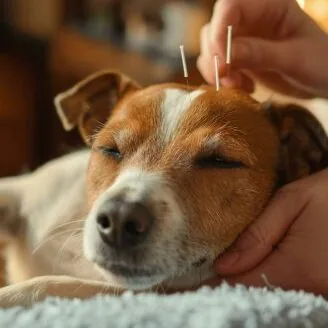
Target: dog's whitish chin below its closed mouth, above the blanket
x,y
133,279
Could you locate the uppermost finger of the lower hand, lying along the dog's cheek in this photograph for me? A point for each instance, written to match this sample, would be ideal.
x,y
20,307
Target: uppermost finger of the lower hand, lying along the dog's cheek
x,y
266,232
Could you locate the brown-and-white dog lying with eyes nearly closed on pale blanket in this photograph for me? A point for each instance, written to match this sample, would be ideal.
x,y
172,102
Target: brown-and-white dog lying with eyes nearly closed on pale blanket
x,y
172,175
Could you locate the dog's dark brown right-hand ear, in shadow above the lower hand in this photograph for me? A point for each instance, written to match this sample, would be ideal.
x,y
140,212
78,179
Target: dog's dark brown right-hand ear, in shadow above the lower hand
x,y
303,141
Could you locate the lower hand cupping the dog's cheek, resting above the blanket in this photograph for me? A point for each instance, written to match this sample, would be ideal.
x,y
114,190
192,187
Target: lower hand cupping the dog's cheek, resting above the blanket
x,y
288,243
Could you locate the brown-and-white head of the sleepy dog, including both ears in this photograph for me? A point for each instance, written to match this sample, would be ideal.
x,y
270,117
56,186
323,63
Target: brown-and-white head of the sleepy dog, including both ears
x,y
177,172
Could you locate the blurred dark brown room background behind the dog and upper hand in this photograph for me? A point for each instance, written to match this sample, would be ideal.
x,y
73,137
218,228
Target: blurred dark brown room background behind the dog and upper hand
x,y
48,45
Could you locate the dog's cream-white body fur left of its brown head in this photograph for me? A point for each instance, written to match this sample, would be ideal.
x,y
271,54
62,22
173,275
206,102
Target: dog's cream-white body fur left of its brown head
x,y
50,197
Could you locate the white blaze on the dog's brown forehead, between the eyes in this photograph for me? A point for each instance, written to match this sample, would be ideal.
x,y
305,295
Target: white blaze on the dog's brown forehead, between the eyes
x,y
176,103
